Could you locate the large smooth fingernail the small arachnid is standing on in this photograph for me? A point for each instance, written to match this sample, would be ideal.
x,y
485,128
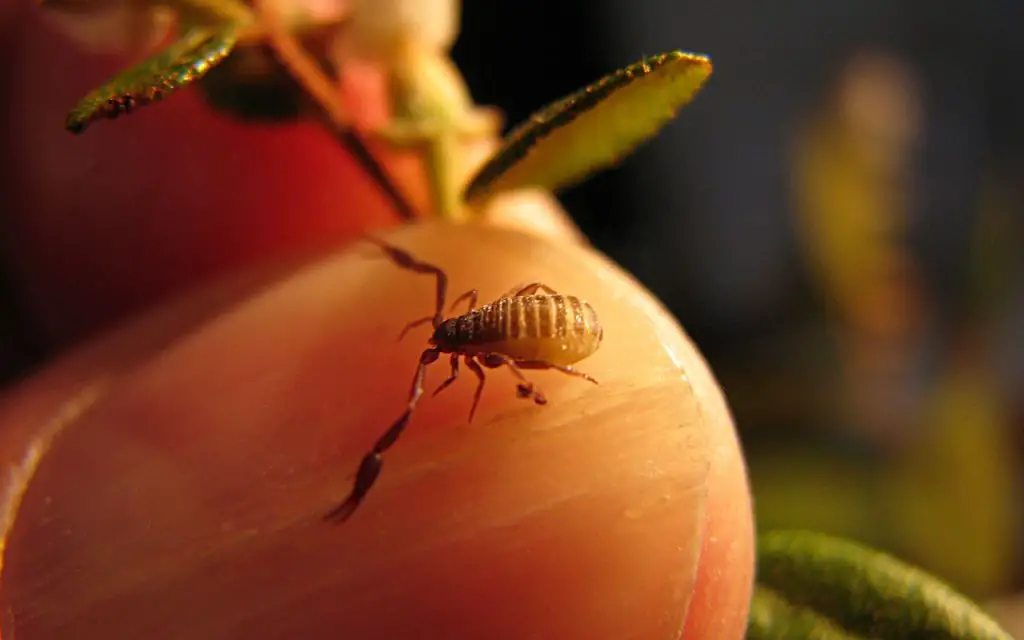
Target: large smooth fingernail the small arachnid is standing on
x,y
229,445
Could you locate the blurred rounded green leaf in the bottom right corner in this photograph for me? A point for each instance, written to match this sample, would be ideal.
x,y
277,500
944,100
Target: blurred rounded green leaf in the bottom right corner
x,y
816,586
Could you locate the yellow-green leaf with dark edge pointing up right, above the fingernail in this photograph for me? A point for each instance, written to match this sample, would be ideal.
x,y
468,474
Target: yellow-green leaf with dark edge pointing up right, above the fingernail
x,y
593,129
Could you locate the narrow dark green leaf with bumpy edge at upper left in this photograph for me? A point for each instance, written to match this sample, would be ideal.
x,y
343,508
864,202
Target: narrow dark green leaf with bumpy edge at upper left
x,y
177,67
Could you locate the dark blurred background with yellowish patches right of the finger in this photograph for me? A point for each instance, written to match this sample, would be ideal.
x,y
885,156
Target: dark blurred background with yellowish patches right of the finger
x,y
837,222
